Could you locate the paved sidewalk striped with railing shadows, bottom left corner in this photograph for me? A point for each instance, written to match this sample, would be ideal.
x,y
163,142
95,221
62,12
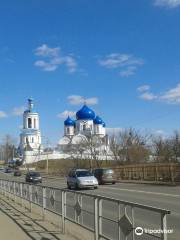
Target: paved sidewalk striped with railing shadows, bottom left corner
x,y
18,224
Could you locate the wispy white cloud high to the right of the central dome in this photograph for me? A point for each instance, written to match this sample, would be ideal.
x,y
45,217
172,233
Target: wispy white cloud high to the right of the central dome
x,y
126,63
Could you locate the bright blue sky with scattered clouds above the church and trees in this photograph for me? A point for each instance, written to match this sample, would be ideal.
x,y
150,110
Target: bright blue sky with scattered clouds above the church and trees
x,y
121,56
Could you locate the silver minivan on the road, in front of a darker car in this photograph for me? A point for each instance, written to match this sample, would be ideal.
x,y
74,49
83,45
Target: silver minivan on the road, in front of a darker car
x,y
81,178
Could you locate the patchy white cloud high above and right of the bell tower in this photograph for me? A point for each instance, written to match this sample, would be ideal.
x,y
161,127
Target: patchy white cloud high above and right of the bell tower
x,y
53,58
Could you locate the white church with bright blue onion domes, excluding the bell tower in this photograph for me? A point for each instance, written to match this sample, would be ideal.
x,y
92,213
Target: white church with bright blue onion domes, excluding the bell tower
x,y
87,127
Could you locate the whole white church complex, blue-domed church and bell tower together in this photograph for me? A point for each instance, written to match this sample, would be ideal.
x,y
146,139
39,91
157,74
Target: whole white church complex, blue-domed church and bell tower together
x,y
86,127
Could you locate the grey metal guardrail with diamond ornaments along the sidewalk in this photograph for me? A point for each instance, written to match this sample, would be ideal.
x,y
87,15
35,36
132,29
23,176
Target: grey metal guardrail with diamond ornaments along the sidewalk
x,y
106,217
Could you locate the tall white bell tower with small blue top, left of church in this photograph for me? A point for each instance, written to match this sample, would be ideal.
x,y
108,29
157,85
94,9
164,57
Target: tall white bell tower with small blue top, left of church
x,y
30,137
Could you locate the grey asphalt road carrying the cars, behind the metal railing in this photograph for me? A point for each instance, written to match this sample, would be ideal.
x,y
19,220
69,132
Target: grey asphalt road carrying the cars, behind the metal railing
x,y
167,197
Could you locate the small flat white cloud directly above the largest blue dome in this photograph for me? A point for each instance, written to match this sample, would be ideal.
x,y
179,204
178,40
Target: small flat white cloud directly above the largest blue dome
x,y
78,100
